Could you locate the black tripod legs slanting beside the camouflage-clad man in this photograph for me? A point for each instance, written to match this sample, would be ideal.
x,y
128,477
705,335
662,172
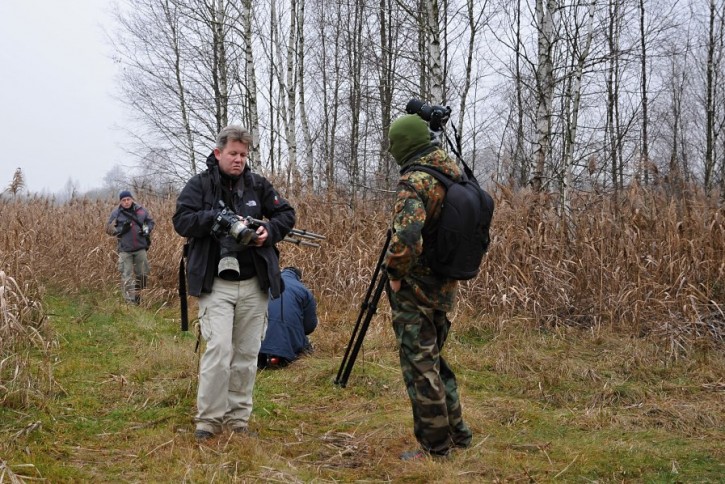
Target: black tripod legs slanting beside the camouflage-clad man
x,y
367,310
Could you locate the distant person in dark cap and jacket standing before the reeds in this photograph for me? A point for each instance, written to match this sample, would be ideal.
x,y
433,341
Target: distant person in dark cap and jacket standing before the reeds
x,y
132,225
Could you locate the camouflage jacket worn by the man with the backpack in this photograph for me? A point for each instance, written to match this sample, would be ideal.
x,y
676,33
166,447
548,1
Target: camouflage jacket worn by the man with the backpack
x,y
418,202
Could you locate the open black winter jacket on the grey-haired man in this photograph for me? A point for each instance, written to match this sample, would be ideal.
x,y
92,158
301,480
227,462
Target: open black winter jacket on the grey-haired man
x,y
196,209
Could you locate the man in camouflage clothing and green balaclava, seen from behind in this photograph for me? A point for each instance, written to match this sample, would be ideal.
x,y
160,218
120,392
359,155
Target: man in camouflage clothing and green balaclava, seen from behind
x,y
419,298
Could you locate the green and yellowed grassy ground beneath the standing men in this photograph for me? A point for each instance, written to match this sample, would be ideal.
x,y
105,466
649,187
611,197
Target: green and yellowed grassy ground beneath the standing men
x,y
544,406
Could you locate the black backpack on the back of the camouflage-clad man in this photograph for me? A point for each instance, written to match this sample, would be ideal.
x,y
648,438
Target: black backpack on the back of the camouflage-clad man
x,y
462,238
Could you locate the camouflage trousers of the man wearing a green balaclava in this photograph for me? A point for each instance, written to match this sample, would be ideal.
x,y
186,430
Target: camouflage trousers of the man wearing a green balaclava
x,y
421,333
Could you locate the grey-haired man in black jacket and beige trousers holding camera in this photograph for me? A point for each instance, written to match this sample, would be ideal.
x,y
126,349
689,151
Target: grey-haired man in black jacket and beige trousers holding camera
x,y
233,280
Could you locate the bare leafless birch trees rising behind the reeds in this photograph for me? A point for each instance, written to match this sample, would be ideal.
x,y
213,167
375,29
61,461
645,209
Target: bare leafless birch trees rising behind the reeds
x,y
560,96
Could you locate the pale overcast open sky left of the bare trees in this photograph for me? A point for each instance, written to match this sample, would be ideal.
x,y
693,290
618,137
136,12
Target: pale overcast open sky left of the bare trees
x,y
59,120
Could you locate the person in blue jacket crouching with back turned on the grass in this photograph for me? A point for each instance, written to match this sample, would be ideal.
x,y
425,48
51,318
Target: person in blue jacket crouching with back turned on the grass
x,y
291,318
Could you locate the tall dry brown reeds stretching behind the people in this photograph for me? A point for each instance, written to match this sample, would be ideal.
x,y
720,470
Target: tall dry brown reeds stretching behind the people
x,y
644,263
